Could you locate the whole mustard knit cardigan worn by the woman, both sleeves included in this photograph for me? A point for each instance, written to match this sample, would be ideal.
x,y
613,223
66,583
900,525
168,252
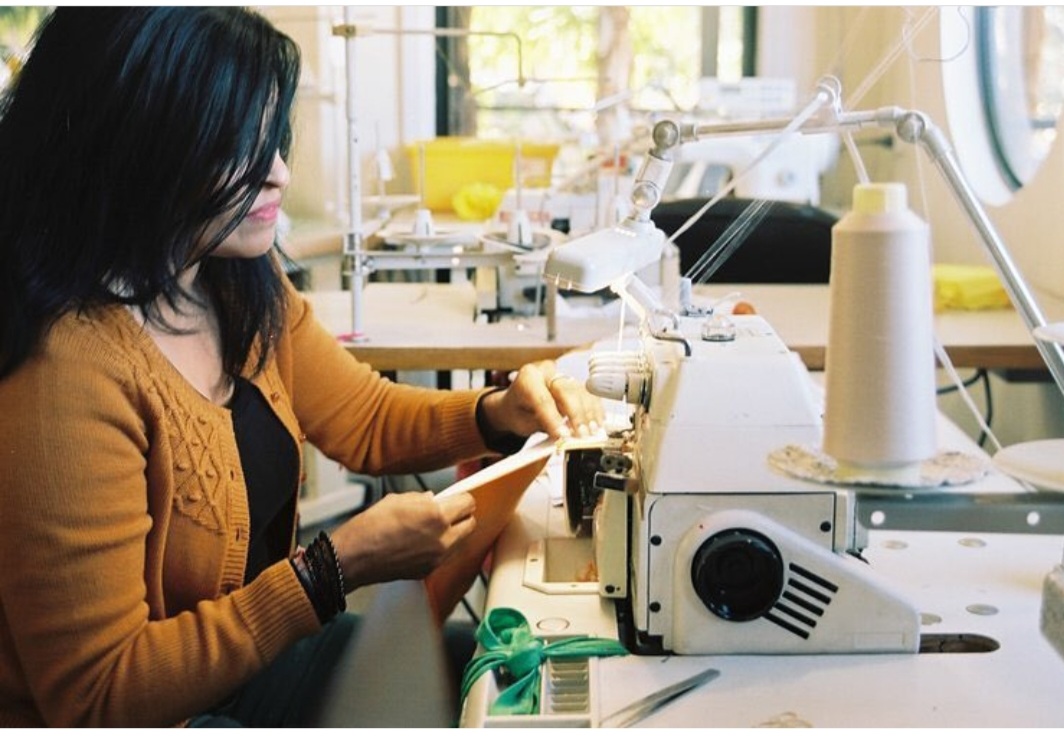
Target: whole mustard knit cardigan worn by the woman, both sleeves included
x,y
124,515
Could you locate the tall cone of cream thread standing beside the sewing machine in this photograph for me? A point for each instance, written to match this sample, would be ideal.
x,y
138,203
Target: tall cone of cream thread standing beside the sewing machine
x,y
879,420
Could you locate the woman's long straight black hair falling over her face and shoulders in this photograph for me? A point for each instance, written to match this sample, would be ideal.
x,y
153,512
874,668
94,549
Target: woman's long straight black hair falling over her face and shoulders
x,y
127,133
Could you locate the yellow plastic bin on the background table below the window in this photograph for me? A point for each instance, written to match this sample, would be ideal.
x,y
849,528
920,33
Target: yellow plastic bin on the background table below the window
x,y
453,163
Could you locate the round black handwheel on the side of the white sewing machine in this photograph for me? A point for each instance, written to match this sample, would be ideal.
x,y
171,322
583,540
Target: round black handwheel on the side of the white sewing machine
x,y
738,574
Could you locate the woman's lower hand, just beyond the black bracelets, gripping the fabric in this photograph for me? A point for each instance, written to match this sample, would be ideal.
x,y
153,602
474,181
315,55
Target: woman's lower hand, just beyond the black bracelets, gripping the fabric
x,y
404,537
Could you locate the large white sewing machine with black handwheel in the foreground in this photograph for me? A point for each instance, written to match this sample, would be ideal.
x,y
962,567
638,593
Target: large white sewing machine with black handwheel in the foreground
x,y
706,547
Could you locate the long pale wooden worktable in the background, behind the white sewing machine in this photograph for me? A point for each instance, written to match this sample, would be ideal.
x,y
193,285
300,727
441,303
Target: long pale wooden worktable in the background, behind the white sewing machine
x,y
431,327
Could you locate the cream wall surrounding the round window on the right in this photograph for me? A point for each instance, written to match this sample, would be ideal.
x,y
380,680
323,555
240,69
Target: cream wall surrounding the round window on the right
x,y
894,56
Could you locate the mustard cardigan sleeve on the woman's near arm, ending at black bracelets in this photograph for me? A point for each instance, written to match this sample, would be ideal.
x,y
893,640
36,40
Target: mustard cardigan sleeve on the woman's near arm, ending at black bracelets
x,y
75,525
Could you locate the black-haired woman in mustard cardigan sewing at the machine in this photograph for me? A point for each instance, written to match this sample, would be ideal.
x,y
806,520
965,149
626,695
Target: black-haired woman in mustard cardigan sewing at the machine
x,y
158,376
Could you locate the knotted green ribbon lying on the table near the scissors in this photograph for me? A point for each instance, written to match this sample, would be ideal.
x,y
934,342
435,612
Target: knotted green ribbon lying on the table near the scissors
x,y
508,642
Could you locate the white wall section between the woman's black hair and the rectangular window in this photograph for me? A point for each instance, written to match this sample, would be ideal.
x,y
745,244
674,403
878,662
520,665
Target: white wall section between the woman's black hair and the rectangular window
x,y
394,88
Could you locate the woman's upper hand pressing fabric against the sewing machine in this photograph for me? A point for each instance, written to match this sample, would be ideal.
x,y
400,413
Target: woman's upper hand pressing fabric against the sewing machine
x,y
540,399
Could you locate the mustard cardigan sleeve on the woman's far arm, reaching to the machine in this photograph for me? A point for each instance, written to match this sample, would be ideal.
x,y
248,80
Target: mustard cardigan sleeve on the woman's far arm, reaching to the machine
x,y
365,422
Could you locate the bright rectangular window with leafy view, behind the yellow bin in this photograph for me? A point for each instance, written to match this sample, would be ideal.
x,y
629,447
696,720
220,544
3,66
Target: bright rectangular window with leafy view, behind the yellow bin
x,y
559,72
